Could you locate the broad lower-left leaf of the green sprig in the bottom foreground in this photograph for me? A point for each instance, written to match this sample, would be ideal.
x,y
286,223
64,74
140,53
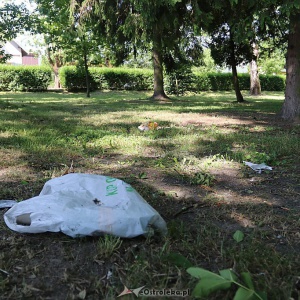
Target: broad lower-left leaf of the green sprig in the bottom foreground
x,y
207,285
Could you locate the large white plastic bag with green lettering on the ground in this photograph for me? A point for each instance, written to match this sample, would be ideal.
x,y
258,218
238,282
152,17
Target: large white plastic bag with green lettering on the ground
x,y
85,205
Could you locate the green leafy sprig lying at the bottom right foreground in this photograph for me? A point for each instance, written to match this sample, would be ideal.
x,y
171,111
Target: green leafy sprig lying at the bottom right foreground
x,y
211,282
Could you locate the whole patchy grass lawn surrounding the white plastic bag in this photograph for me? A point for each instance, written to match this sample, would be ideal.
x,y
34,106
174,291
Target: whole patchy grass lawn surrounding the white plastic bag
x,y
190,170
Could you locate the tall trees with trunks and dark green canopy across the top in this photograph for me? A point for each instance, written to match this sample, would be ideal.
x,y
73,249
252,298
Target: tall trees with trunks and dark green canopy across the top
x,y
113,31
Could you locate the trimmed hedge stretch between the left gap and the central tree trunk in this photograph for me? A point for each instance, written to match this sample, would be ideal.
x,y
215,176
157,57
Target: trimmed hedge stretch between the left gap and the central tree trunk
x,y
73,78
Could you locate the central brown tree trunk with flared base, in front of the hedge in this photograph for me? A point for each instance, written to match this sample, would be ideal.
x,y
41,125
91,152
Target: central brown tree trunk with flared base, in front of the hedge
x,y
159,92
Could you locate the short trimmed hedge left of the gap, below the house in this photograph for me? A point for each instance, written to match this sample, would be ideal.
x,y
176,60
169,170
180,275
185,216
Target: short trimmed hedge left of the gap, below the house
x,y
24,78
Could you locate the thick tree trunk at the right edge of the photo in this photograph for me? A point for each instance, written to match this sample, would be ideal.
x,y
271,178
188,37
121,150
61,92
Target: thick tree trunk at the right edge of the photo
x,y
291,106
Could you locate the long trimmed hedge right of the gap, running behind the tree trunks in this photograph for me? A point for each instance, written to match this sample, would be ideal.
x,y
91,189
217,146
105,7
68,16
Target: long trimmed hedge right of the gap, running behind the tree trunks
x,y
73,79
